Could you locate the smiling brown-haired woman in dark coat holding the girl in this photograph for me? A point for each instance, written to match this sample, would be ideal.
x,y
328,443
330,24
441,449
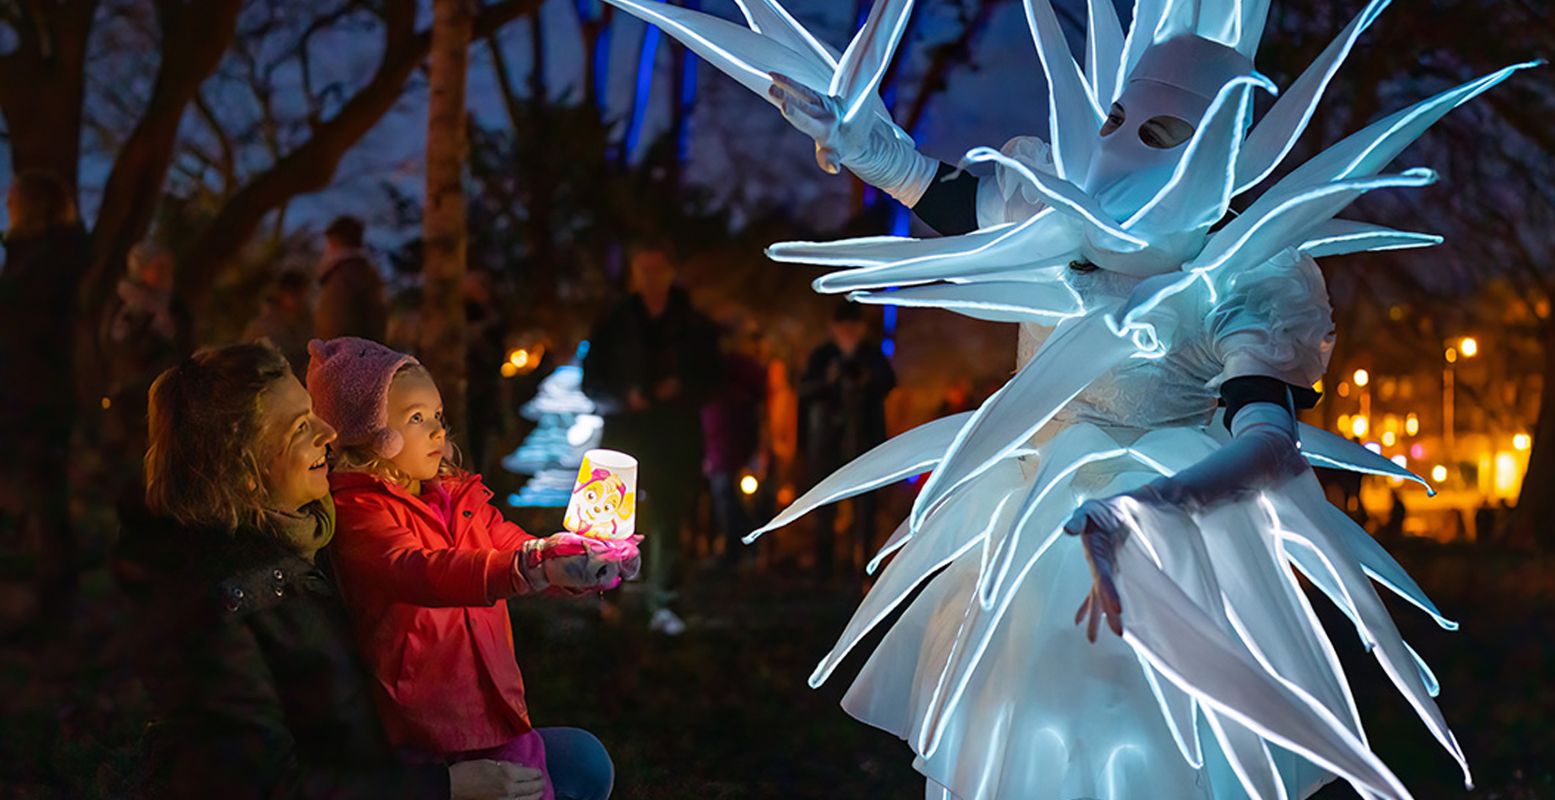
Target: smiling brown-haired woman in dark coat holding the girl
x,y
240,636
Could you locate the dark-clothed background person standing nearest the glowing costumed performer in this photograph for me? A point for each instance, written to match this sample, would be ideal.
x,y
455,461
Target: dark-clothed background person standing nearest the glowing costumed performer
x,y
842,413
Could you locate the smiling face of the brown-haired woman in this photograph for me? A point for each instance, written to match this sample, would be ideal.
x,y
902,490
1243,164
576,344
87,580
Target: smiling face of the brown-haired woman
x,y
293,443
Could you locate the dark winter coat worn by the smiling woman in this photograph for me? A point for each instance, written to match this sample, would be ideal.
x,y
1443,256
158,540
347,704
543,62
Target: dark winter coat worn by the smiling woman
x,y
248,656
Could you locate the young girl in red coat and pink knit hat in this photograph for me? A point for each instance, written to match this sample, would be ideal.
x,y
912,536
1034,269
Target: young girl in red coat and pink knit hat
x,y
425,563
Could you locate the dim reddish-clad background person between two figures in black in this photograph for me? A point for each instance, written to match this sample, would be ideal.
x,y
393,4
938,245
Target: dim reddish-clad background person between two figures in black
x,y
732,427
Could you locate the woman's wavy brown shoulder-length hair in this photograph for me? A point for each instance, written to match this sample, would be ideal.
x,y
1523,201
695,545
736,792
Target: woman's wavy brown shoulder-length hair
x,y
204,418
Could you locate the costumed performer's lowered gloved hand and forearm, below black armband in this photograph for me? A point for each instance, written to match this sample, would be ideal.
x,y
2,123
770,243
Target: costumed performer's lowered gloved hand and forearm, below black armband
x,y
1262,454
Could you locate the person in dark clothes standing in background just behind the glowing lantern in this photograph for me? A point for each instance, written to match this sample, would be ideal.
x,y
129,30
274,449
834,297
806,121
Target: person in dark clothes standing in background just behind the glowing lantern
x,y
652,362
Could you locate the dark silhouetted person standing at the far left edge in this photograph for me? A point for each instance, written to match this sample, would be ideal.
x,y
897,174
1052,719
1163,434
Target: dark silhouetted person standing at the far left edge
x,y
47,256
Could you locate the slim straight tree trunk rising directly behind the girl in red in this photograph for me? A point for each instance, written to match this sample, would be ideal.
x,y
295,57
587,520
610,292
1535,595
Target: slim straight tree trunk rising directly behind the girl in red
x,y
444,223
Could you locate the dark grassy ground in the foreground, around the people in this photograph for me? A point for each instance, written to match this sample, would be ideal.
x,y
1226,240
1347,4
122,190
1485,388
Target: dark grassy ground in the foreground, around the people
x,y
724,712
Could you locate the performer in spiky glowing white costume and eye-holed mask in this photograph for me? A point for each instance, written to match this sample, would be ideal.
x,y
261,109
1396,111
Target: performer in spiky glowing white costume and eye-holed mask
x,y
1136,315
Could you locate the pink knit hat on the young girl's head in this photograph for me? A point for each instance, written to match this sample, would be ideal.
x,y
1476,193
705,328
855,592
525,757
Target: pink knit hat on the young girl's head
x,y
349,381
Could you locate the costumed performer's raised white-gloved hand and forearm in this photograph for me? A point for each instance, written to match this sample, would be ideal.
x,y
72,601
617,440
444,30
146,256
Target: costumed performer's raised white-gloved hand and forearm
x,y
875,150
